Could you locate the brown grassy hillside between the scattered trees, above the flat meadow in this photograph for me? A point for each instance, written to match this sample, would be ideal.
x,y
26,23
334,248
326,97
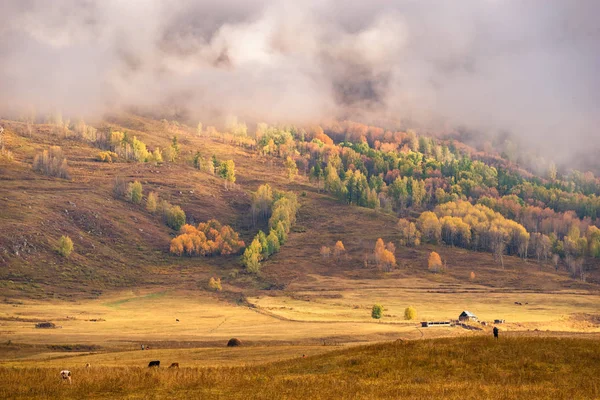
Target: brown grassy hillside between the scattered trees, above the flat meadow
x,y
119,244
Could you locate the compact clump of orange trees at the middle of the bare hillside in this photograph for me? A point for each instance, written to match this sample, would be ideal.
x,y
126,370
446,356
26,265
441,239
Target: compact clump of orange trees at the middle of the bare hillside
x,y
208,239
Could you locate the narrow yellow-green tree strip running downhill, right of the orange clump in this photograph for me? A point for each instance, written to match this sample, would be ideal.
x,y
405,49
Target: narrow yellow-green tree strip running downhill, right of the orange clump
x,y
283,208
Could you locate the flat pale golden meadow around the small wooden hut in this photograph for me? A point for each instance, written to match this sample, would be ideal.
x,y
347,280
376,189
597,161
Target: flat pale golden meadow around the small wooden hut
x,y
330,313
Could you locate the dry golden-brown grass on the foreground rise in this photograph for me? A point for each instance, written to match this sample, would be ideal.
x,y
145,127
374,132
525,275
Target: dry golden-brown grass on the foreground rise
x,y
467,368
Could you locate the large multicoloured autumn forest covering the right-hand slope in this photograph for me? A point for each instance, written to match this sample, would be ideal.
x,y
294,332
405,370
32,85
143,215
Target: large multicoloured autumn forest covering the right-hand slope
x,y
399,171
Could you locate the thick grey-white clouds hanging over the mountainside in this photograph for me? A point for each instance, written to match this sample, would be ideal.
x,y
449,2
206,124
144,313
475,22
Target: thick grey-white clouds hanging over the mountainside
x,y
528,67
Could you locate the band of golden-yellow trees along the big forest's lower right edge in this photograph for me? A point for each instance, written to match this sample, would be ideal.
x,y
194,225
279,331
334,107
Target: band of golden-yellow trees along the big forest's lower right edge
x,y
478,227
